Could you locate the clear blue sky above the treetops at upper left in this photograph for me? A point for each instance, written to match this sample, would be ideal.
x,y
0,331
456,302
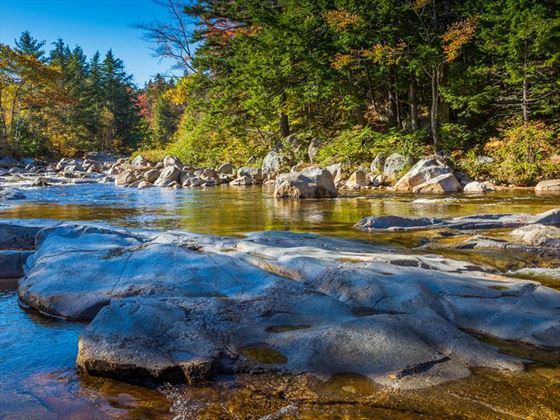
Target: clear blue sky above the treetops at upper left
x,y
92,24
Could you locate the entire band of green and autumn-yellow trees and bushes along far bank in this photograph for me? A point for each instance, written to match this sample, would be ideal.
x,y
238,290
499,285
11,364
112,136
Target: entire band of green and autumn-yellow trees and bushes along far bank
x,y
474,80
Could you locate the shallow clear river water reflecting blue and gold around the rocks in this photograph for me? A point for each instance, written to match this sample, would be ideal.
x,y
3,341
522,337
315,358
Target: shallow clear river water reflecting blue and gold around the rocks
x,y
37,354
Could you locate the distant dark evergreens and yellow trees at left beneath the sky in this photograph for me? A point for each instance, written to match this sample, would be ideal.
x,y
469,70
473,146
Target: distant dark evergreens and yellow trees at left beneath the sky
x,y
61,103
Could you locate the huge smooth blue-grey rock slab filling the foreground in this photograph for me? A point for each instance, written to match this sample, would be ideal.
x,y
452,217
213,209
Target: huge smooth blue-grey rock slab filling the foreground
x,y
175,306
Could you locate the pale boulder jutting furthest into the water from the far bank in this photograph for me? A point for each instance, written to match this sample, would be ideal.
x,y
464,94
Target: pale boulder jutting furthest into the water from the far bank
x,y
310,183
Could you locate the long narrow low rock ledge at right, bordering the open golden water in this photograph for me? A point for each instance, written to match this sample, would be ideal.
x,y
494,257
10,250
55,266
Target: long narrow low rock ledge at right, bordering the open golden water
x,y
484,221
